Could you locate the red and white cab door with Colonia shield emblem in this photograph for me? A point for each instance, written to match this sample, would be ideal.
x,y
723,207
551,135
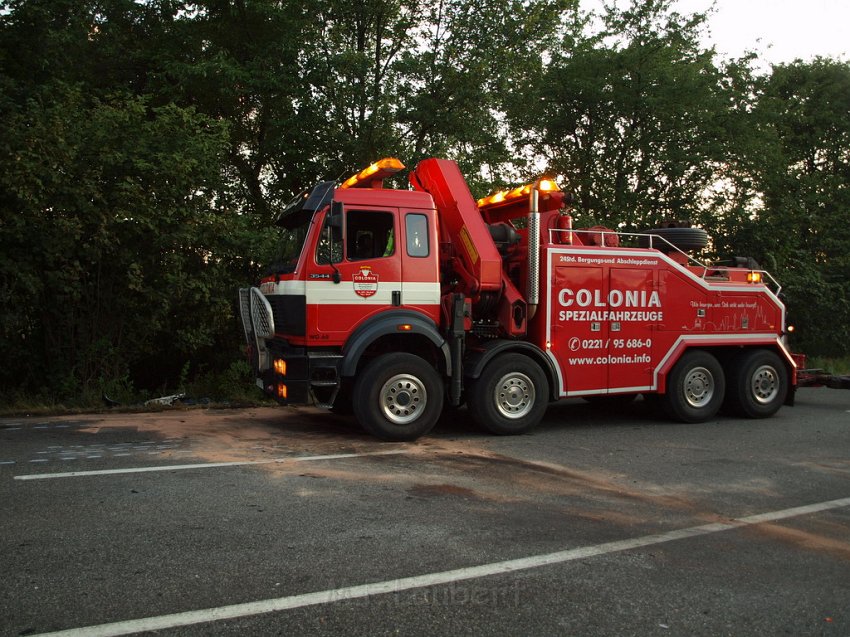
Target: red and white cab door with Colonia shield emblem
x,y
369,267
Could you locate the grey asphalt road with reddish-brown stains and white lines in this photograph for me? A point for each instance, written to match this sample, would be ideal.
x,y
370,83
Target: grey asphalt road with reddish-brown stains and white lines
x,y
290,521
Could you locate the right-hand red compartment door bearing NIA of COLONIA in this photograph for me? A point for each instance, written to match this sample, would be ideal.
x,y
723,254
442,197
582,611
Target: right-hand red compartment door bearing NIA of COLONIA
x,y
634,306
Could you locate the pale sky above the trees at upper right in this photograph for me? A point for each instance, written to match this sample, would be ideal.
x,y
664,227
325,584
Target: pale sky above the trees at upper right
x,y
778,30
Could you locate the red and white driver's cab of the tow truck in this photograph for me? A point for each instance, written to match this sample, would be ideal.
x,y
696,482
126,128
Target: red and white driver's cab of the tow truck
x,y
361,272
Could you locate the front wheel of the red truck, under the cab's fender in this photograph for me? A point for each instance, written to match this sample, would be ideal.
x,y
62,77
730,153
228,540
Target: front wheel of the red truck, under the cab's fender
x,y
398,397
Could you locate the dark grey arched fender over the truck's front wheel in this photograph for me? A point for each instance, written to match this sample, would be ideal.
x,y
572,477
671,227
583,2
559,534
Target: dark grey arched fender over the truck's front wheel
x,y
385,324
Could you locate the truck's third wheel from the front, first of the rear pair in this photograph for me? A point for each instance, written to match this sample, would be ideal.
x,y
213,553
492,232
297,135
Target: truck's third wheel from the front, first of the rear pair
x,y
695,388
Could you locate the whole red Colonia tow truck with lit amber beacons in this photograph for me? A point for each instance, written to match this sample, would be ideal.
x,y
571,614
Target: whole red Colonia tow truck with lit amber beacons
x,y
396,304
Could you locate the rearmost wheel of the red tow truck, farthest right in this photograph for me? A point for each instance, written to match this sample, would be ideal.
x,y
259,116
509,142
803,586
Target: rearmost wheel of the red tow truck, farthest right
x,y
757,385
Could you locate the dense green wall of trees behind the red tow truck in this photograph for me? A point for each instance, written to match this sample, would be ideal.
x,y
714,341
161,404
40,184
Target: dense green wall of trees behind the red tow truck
x,y
146,146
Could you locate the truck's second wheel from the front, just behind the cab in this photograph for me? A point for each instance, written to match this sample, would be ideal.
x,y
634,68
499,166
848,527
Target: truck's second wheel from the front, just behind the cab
x,y
511,395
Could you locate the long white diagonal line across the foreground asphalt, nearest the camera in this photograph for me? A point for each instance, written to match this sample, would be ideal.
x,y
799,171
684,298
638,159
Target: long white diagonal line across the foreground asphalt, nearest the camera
x,y
189,618
